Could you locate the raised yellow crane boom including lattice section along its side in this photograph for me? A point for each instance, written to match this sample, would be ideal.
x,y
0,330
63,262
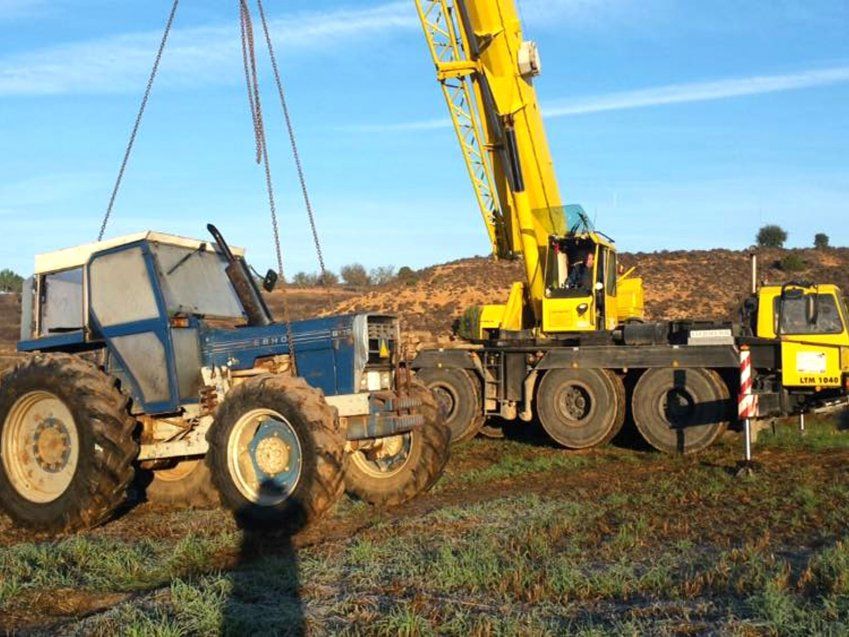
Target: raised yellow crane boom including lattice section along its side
x,y
486,70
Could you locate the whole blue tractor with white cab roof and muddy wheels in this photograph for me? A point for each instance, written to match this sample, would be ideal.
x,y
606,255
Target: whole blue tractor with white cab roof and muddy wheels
x,y
156,356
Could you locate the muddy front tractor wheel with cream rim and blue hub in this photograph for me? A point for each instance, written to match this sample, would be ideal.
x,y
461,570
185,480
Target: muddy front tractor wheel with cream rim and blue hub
x,y
277,453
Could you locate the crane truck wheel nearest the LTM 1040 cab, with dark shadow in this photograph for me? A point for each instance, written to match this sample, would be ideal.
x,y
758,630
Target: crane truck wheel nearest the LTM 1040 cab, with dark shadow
x,y
680,411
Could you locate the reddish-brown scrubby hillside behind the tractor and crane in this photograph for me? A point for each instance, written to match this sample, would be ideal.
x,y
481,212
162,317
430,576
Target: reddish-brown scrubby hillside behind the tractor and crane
x,y
695,284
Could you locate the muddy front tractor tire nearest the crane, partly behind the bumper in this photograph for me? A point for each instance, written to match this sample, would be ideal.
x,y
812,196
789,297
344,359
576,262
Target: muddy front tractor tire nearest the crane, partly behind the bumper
x,y
393,470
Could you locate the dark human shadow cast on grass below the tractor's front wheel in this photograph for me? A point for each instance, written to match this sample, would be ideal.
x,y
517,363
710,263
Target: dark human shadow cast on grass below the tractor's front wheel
x,y
265,596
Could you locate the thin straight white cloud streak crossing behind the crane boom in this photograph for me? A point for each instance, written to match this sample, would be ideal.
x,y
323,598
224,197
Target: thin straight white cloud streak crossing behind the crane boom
x,y
658,96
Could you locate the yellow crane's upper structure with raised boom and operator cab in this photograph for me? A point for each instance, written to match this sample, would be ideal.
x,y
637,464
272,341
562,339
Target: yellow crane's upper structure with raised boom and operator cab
x,y
486,70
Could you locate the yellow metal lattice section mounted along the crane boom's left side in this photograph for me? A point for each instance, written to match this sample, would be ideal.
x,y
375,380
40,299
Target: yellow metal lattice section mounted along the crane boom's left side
x,y
456,72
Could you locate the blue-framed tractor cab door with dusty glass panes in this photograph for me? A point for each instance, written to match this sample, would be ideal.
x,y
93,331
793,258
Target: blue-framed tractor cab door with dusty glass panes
x,y
127,311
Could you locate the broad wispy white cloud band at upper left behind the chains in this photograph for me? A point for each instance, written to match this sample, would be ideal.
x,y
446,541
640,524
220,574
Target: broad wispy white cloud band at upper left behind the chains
x,y
194,56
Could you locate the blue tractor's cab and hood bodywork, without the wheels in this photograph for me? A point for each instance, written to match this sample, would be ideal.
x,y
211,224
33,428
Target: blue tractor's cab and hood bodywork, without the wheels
x,y
161,311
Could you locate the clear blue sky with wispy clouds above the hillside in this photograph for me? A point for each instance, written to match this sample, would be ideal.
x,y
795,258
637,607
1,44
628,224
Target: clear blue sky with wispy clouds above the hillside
x,y
677,124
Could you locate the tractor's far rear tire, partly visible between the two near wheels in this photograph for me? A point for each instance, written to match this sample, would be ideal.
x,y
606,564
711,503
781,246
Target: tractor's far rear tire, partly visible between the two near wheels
x,y
186,485
